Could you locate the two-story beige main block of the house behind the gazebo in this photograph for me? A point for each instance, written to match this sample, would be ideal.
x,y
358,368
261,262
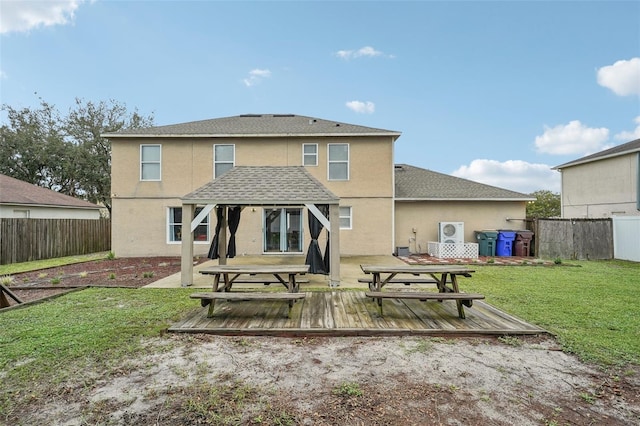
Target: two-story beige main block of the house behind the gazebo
x,y
154,168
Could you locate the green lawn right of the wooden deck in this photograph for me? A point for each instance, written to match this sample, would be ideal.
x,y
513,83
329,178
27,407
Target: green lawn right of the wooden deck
x,y
592,308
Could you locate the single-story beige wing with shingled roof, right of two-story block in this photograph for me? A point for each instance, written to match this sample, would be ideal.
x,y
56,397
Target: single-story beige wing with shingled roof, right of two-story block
x,y
424,198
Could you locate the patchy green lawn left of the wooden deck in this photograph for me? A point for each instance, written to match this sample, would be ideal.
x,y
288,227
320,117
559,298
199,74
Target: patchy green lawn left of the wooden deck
x,y
96,326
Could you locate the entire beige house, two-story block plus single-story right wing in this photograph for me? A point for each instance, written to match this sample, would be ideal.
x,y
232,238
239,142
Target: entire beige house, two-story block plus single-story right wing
x,y
380,205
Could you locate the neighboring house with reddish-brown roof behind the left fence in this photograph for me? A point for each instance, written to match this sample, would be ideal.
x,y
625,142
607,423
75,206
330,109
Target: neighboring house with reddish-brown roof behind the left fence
x,y
19,199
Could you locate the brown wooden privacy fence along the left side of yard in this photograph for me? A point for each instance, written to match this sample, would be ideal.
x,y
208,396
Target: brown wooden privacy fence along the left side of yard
x,y
23,240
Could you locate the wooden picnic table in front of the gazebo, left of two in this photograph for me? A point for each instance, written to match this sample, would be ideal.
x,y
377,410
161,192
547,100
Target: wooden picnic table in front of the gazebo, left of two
x,y
224,276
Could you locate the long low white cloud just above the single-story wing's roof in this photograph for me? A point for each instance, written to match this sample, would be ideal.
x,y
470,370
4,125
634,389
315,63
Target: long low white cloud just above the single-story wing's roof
x,y
515,175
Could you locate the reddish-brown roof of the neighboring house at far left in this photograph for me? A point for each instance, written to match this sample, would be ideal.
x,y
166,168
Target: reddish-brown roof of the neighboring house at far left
x,y
14,191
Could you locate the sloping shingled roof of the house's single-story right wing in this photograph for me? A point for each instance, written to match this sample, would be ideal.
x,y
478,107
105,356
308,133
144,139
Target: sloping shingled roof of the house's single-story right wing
x,y
416,184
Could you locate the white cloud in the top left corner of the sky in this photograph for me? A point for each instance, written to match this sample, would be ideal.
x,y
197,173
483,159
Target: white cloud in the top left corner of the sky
x,y
22,16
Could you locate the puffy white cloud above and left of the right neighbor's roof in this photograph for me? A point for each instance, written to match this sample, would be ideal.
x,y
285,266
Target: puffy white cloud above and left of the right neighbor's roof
x,y
572,138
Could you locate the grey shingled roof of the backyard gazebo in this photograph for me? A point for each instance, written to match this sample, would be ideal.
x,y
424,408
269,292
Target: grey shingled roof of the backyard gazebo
x,y
263,185
